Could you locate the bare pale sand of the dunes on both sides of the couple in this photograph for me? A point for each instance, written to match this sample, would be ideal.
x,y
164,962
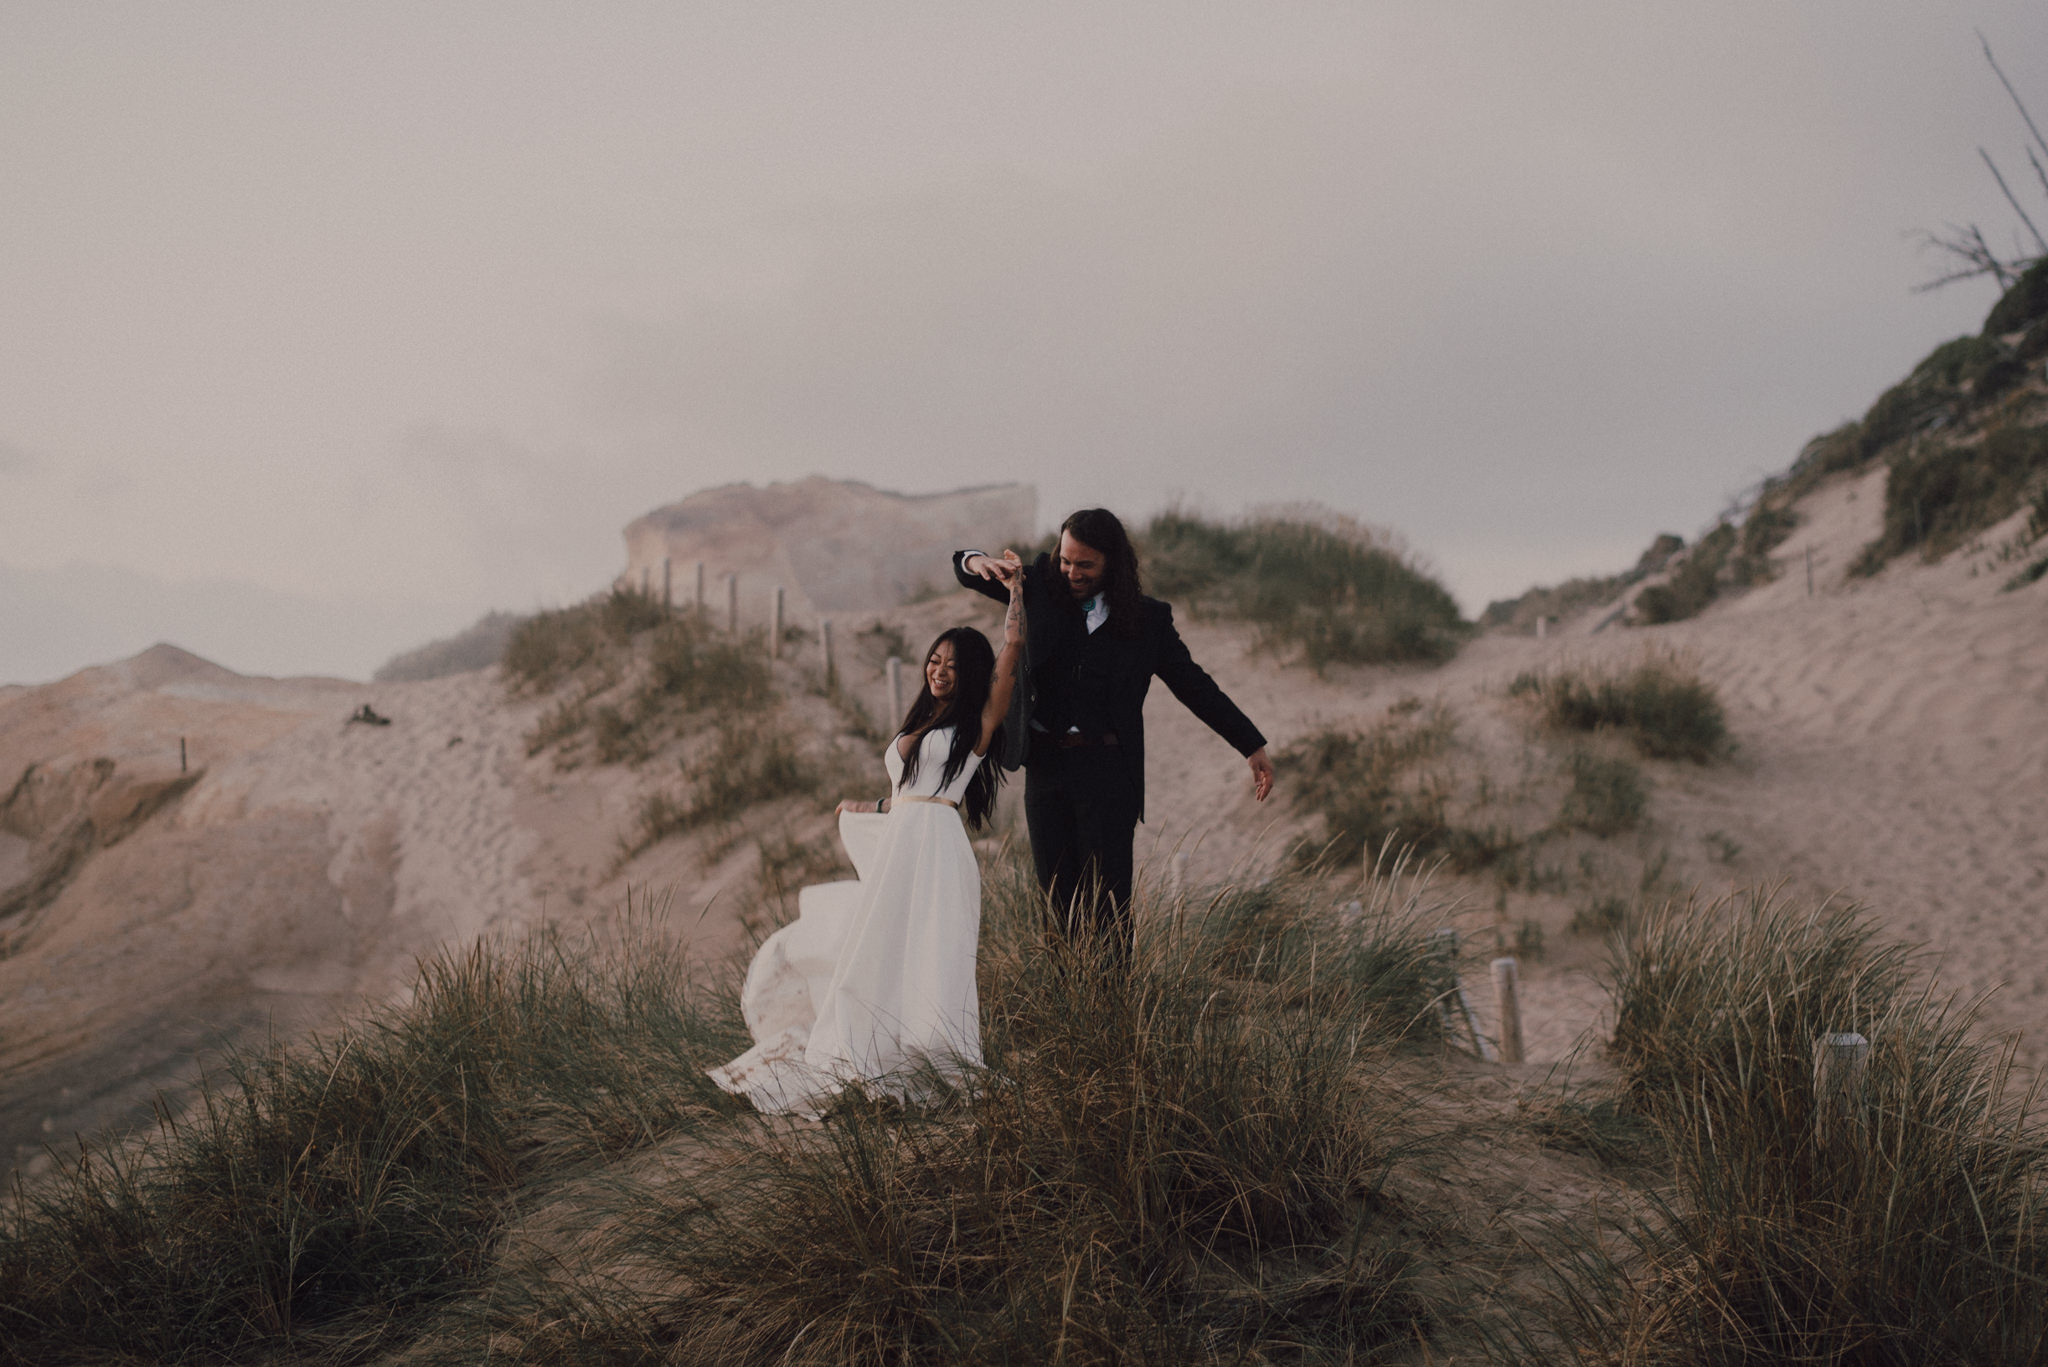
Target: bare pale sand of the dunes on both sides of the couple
x,y
1893,745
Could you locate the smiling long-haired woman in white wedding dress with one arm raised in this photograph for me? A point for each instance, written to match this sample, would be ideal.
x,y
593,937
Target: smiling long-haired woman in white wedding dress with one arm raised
x,y
878,975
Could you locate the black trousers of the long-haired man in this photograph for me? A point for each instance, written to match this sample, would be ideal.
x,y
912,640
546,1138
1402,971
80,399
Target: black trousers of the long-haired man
x,y
1082,813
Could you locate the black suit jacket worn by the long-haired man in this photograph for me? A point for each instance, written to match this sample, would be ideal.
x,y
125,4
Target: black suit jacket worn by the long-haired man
x,y
1054,636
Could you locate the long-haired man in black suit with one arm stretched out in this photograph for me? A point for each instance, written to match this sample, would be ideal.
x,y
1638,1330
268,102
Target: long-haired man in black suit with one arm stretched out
x,y
1076,724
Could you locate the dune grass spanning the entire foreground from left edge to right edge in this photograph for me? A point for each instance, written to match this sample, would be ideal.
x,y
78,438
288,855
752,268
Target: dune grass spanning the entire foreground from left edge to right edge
x,y
1234,1153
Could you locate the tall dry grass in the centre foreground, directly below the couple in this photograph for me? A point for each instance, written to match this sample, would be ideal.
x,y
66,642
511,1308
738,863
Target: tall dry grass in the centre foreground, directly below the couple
x,y
1177,1163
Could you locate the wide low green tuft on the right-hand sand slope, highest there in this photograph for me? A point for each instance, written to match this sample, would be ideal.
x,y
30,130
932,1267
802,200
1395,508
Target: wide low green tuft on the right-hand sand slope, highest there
x,y
1662,704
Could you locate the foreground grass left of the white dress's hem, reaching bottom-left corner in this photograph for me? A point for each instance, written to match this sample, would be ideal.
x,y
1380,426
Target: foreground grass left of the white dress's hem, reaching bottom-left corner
x,y
325,1198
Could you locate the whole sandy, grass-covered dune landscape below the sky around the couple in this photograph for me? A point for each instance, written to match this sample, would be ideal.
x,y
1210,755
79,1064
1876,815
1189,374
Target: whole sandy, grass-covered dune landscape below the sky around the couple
x,y
1713,827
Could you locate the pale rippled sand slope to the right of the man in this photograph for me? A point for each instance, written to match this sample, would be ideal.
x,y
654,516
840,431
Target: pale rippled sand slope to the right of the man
x,y
1893,749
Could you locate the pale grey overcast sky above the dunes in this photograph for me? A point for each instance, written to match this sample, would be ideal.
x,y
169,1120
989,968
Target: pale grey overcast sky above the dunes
x,y
329,327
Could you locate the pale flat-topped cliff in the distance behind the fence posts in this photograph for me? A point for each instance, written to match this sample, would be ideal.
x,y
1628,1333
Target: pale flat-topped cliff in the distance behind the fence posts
x,y
835,546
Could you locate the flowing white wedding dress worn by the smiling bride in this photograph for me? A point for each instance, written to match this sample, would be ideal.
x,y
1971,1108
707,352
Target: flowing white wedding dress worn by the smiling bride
x,y
878,975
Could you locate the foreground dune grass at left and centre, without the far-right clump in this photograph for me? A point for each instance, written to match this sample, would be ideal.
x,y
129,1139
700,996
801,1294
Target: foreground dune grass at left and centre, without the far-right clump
x,y
1150,1167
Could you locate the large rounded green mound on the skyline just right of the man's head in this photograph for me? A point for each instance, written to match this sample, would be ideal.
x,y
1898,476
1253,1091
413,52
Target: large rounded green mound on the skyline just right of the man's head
x,y
1334,595
